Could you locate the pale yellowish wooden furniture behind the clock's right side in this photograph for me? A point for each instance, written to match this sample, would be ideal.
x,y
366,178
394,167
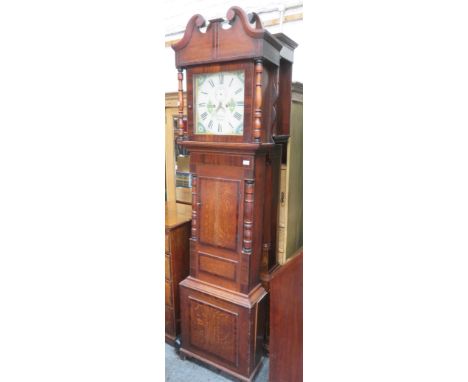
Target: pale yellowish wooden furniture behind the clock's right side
x,y
290,210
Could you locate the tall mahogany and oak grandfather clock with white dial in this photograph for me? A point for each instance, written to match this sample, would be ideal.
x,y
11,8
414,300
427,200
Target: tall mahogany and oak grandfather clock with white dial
x,y
238,81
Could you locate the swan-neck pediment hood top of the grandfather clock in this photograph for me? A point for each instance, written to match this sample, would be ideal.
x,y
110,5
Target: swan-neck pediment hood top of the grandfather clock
x,y
239,40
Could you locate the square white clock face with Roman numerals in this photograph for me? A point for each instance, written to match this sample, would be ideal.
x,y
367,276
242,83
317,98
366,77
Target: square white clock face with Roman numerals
x,y
219,103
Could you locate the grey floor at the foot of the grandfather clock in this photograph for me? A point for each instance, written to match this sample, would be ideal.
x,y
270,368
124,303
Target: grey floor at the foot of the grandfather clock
x,y
194,371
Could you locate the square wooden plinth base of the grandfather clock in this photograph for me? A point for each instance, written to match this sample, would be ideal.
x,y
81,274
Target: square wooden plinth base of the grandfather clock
x,y
222,328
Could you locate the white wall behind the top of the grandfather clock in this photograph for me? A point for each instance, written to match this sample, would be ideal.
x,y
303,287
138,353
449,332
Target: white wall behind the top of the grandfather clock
x,y
179,12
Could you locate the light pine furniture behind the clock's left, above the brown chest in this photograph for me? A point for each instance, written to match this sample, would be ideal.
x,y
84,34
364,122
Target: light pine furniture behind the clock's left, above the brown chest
x,y
177,164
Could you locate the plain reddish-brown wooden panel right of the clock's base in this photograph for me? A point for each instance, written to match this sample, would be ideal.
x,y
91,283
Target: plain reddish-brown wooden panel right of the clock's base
x,y
286,321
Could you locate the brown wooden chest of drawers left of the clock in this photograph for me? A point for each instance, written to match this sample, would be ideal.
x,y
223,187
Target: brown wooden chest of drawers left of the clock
x,y
178,218
